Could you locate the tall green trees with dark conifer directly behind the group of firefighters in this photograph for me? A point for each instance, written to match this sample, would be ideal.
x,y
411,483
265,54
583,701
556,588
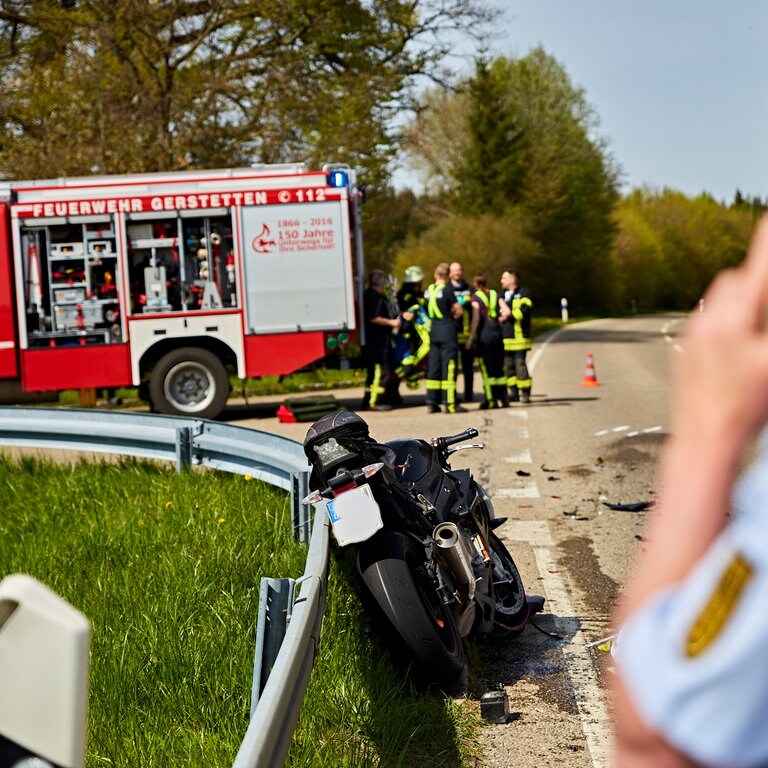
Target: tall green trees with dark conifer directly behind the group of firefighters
x,y
526,154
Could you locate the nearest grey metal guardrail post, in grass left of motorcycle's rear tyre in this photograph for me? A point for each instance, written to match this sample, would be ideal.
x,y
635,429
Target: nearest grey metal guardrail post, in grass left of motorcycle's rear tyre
x,y
275,602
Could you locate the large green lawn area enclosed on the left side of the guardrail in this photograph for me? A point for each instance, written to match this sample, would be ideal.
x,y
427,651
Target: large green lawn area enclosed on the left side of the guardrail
x,y
166,567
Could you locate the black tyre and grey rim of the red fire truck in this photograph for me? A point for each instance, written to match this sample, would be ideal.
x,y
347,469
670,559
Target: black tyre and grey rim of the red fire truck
x,y
189,382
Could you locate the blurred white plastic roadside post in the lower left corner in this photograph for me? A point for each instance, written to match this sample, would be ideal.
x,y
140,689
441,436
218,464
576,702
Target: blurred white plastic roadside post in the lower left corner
x,y
44,646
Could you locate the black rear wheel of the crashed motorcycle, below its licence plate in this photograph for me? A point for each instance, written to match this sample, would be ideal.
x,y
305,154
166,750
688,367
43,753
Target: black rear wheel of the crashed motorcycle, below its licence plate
x,y
392,567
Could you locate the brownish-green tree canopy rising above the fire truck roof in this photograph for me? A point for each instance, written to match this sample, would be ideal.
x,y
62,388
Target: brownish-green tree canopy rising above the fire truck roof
x,y
112,86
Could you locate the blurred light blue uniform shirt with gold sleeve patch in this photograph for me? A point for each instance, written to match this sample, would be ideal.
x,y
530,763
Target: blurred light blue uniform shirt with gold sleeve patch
x,y
711,703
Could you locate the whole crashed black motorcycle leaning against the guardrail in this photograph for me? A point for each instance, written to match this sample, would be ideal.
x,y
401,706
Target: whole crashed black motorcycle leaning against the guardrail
x,y
427,551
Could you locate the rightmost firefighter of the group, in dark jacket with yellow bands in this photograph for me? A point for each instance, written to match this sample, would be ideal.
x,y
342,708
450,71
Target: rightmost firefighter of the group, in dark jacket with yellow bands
x,y
517,337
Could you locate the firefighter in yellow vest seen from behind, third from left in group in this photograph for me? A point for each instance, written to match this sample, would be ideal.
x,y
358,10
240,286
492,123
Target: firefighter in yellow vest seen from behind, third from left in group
x,y
444,309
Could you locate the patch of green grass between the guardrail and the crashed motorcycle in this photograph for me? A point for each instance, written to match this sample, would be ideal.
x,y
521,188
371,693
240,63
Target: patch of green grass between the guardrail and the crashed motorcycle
x,y
361,711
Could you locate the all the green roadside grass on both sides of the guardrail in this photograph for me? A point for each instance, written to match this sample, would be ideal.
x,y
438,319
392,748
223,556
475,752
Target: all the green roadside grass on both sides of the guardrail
x,y
167,569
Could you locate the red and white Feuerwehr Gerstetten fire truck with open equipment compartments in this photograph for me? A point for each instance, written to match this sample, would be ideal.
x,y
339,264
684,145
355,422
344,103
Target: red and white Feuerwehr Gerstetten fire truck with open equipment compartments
x,y
167,281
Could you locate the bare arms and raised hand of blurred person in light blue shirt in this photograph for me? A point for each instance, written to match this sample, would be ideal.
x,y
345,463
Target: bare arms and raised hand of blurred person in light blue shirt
x,y
720,402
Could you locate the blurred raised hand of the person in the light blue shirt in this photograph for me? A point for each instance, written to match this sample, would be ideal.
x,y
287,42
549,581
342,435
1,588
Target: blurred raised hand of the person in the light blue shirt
x,y
721,387
